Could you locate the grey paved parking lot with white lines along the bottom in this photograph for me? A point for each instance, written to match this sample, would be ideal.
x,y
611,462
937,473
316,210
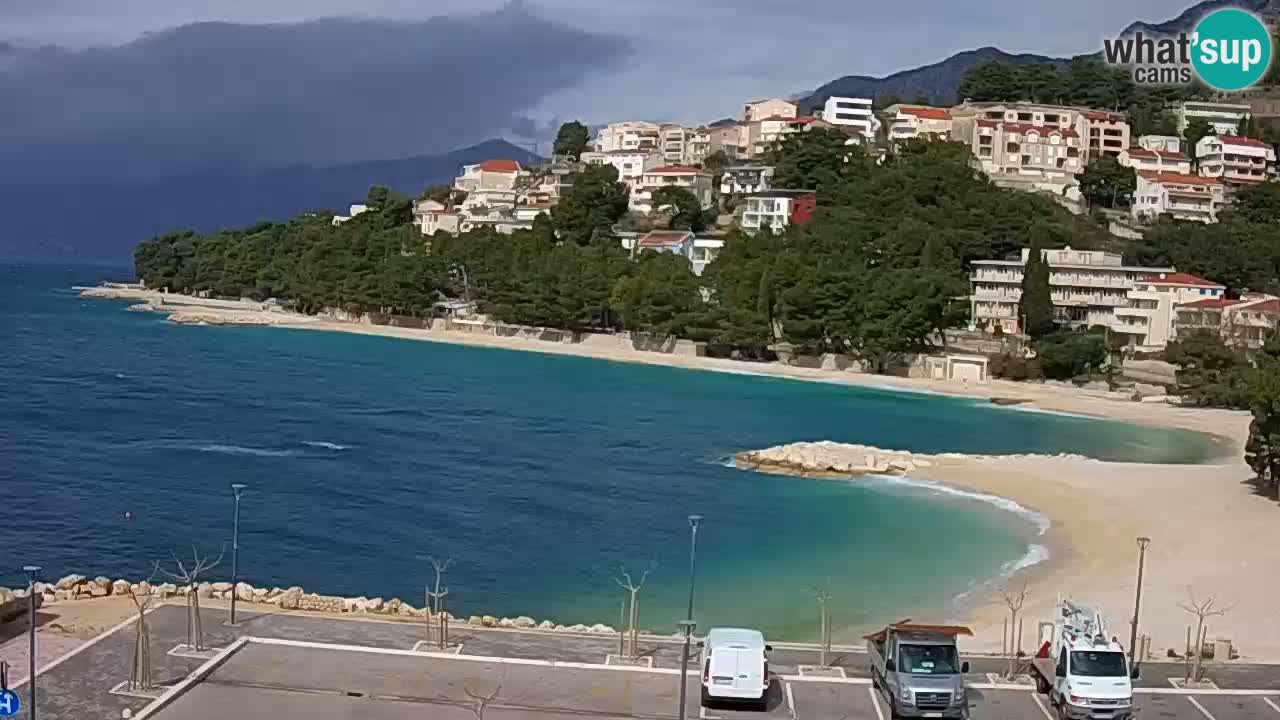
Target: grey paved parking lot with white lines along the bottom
x,y
285,666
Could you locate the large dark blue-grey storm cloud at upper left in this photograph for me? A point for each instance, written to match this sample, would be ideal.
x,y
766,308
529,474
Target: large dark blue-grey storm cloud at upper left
x,y
312,93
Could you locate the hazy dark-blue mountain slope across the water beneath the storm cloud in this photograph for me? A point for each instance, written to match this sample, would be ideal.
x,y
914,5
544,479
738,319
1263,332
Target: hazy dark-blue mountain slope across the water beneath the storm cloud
x,y
106,222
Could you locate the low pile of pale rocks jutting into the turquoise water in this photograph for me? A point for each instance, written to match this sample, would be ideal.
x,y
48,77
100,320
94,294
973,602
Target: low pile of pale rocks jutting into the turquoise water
x,y
828,459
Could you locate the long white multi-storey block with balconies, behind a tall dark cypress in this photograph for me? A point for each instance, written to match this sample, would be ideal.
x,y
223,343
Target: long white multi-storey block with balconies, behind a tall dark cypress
x,y
1087,286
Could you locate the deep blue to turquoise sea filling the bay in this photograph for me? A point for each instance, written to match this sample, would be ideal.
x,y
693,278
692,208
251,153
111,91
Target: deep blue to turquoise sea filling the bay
x,y
538,475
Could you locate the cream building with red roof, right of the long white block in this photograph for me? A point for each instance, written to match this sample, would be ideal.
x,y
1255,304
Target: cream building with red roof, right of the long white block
x,y
1148,322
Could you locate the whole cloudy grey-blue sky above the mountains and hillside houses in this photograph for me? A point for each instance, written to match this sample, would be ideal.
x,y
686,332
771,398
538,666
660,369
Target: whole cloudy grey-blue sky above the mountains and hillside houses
x,y
134,86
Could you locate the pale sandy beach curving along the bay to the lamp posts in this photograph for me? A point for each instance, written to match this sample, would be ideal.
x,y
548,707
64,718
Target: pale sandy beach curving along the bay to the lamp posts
x,y
1195,514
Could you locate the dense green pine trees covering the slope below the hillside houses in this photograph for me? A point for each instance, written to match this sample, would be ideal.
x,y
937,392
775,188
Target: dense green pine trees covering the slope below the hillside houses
x,y
877,274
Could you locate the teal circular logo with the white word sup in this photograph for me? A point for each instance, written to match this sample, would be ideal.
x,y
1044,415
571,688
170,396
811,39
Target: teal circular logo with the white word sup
x,y
1231,49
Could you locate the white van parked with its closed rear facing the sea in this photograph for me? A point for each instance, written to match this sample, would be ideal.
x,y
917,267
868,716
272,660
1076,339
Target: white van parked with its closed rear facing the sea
x,y
735,667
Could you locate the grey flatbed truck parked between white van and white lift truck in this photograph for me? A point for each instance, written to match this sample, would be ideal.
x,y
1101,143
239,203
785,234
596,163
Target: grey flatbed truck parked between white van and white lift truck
x,y
918,669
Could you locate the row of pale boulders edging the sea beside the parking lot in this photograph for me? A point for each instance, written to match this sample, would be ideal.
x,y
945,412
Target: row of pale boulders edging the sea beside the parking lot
x,y
72,589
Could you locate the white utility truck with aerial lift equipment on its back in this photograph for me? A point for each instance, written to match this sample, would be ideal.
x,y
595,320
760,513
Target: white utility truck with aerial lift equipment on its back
x,y
1082,669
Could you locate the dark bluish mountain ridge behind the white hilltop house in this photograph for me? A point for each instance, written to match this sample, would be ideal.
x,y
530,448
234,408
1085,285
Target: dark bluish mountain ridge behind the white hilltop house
x,y
938,81
